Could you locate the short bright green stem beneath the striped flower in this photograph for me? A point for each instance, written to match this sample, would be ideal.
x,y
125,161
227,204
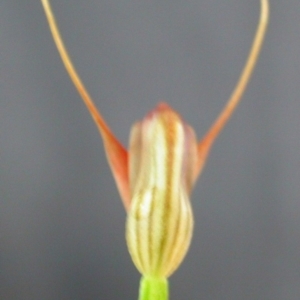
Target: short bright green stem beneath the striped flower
x,y
153,288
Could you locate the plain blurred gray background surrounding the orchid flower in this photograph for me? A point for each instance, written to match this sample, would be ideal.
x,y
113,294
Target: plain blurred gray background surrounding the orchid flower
x,y
61,220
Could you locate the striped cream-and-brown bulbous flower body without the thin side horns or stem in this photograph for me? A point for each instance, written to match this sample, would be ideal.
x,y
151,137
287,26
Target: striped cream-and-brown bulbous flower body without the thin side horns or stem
x,y
162,170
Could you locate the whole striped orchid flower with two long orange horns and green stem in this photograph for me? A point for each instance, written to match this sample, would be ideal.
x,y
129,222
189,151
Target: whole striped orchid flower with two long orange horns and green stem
x,y
155,176
